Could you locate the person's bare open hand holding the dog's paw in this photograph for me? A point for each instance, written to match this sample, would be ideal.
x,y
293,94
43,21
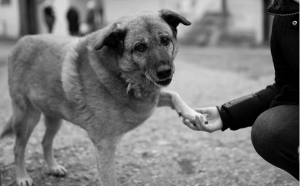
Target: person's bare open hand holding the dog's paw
x,y
212,116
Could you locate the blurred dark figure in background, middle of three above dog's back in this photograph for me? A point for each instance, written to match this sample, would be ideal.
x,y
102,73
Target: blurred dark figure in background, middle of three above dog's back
x,y
73,20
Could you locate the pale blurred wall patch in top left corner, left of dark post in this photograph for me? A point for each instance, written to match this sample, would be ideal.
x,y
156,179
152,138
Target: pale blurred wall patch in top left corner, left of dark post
x,y
10,20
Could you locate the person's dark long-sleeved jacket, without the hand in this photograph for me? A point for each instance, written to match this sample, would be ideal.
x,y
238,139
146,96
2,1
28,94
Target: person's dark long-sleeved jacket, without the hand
x,y
242,112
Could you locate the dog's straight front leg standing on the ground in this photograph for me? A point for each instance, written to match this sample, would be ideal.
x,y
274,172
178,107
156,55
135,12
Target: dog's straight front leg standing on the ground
x,y
105,154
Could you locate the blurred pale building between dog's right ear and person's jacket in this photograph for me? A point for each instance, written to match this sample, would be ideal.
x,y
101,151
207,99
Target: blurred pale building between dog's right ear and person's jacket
x,y
217,22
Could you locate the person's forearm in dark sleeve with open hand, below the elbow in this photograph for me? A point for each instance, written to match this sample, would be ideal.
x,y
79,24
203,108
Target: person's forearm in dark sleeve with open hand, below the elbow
x,y
236,114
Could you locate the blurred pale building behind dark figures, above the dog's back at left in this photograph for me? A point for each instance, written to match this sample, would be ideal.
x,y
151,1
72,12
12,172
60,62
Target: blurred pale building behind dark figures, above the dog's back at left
x,y
22,17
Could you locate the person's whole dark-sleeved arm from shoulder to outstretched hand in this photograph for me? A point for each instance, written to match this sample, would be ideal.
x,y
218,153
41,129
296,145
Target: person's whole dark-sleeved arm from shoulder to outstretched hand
x,y
242,112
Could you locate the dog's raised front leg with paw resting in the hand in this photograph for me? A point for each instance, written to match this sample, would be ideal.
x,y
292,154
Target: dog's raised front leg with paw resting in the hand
x,y
173,100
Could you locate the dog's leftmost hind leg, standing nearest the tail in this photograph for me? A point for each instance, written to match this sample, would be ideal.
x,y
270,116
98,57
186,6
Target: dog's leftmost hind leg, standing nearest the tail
x,y
24,121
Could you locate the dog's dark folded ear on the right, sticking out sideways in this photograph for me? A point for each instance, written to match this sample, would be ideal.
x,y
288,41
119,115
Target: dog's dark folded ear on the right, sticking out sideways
x,y
173,19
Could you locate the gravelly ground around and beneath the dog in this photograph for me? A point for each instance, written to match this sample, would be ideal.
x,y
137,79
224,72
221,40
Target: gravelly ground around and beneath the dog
x,y
162,151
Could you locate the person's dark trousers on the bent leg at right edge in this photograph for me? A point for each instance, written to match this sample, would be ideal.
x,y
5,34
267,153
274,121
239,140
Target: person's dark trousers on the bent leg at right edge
x,y
275,137
